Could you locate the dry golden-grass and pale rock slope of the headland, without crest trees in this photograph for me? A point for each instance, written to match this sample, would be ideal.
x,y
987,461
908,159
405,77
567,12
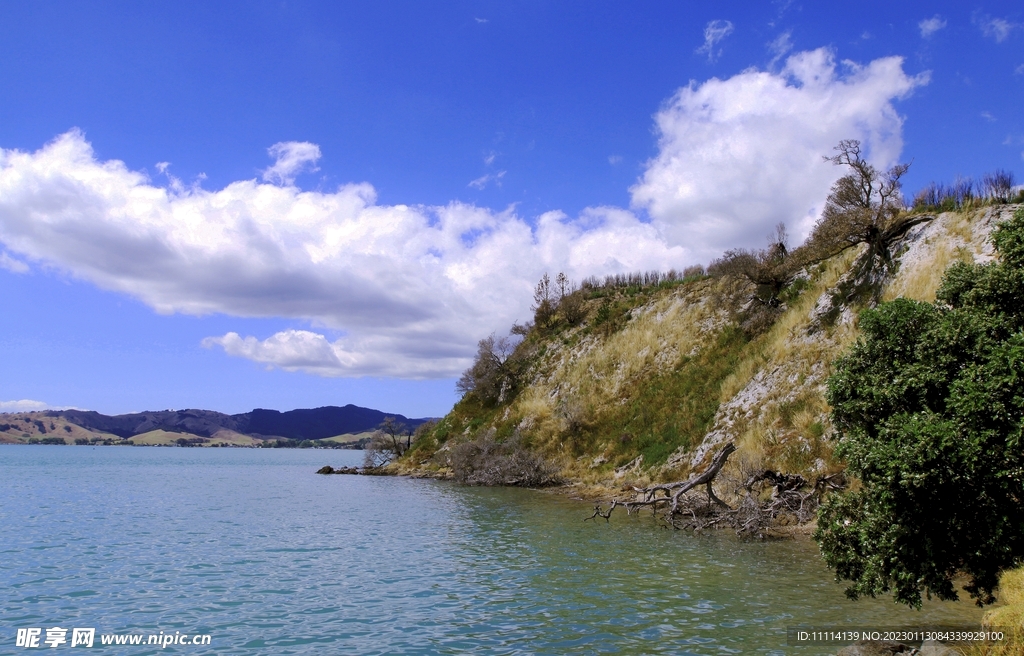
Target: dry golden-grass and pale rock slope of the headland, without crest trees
x,y
655,378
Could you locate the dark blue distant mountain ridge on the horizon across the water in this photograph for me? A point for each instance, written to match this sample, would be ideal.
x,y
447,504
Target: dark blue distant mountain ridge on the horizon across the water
x,y
313,424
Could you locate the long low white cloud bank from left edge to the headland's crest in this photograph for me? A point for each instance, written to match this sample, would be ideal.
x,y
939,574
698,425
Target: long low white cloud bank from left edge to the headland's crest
x,y
410,288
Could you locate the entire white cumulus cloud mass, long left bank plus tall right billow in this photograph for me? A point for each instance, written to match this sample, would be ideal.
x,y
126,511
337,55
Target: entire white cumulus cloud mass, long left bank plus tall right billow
x,y
407,291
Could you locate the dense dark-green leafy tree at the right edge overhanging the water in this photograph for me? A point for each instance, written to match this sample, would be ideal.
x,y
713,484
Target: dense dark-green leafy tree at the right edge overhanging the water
x,y
929,407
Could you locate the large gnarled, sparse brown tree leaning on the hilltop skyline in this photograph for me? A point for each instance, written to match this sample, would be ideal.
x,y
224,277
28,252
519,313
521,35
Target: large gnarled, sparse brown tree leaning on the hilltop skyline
x,y
865,207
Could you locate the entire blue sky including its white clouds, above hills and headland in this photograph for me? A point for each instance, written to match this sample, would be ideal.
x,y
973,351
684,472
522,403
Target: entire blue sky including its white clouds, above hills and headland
x,y
297,204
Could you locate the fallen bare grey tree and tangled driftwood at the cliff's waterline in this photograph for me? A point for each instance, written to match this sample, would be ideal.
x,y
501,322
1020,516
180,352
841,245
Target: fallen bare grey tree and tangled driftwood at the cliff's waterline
x,y
788,502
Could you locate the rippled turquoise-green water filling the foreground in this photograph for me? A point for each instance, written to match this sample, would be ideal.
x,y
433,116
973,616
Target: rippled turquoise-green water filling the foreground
x,y
252,548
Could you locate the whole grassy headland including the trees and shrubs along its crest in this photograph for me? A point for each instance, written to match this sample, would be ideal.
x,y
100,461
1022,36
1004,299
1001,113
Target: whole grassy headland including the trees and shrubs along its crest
x,y
638,379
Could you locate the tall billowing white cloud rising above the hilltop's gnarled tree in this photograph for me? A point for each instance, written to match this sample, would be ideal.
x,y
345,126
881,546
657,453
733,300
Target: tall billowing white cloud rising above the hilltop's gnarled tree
x,y
739,156
